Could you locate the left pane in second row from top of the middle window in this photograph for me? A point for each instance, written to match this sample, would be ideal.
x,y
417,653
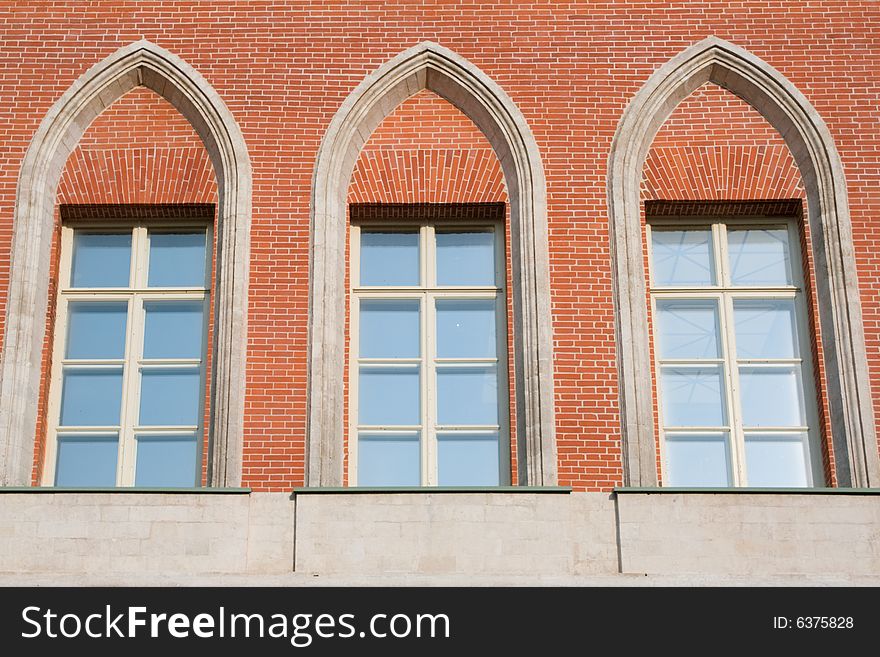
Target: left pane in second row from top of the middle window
x,y
389,329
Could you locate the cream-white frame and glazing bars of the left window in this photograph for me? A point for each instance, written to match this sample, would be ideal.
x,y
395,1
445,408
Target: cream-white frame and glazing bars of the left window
x,y
135,295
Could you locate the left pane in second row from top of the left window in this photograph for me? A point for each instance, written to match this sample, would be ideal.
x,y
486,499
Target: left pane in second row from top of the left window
x,y
96,330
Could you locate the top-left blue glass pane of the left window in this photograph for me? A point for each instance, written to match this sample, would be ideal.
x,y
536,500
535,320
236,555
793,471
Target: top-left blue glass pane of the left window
x,y
101,260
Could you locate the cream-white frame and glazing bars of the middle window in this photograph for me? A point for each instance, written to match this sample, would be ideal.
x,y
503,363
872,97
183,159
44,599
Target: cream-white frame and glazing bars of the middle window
x,y
428,293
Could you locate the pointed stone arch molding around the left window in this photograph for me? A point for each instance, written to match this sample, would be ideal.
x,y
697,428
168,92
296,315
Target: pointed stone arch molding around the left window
x,y
138,64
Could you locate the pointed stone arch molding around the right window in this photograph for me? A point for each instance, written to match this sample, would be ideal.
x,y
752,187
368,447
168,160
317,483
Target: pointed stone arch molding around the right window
x,y
808,138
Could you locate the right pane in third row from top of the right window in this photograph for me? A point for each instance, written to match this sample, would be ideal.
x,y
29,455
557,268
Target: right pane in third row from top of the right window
x,y
771,396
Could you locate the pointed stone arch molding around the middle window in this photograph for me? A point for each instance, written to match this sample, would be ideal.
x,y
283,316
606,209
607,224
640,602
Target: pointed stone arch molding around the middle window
x,y
433,67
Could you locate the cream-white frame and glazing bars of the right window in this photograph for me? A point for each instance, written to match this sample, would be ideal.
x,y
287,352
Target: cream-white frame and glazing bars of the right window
x,y
724,293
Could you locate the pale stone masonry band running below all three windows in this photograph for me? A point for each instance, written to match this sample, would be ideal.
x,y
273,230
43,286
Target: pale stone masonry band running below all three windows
x,y
531,537
